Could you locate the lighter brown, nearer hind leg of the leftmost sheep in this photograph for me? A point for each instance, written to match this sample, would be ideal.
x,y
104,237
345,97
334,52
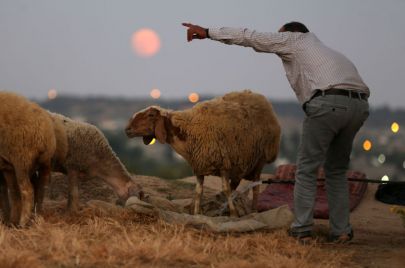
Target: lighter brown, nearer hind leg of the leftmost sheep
x,y
26,196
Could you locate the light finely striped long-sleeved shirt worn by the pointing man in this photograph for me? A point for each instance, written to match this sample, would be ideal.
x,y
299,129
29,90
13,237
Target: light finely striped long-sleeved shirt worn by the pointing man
x,y
309,64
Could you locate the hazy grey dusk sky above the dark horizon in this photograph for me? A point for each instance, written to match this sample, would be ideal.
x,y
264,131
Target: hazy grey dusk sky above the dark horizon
x,y
84,47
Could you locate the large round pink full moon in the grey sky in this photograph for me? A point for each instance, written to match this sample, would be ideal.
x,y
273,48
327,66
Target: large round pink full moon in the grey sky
x,y
145,42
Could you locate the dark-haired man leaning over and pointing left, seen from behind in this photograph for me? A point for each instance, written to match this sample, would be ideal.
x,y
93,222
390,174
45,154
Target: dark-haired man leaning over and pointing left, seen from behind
x,y
334,99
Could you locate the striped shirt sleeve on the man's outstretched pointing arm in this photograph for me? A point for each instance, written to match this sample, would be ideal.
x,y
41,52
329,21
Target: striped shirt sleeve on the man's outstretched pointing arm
x,y
281,44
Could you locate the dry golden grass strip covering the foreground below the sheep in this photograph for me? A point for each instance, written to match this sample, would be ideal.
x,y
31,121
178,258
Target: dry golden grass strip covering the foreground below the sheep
x,y
92,238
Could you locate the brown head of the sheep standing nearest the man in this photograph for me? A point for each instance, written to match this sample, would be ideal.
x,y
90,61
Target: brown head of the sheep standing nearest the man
x,y
148,124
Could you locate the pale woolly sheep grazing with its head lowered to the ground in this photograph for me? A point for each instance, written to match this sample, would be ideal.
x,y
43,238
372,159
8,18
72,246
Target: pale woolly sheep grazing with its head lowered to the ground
x,y
89,154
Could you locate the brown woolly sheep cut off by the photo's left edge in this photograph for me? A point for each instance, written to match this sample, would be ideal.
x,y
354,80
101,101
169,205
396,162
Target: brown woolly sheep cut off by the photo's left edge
x,y
27,144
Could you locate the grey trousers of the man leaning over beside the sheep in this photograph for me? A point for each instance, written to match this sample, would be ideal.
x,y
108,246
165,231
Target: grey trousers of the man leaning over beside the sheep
x,y
328,132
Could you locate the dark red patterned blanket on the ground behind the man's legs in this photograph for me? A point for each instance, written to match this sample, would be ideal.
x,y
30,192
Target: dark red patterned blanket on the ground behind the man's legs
x,y
277,194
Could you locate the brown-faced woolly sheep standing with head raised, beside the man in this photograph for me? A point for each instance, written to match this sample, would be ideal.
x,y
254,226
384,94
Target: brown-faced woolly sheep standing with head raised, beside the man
x,y
232,136
